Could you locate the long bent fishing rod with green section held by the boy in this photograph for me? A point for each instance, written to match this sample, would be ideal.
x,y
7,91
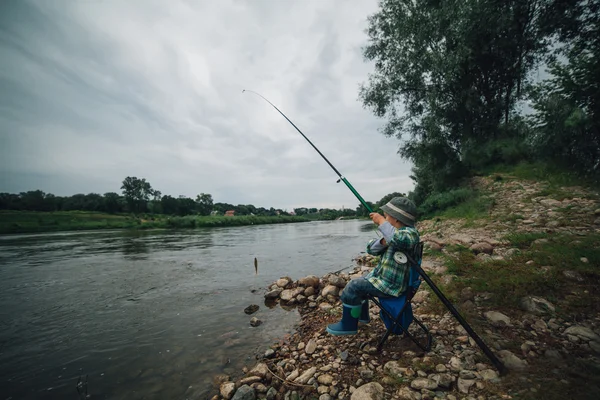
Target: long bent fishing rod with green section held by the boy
x,y
486,350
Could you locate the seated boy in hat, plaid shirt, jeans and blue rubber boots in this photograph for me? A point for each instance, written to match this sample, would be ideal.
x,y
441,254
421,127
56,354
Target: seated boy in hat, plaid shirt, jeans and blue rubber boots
x,y
390,277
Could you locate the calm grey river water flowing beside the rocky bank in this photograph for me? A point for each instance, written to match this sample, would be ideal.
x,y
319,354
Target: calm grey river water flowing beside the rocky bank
x,y
150,314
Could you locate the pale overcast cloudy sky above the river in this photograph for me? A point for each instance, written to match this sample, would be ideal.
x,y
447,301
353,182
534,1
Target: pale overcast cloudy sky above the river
x,y
93,91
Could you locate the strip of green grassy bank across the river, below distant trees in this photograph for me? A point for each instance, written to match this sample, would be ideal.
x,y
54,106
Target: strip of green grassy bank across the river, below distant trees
x,y
29,221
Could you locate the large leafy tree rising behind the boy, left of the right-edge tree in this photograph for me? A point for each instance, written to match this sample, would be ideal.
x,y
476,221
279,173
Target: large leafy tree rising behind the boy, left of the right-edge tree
x,y
448,75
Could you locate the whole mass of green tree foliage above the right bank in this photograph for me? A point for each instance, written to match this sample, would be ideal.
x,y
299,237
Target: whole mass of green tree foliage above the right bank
x,y
449,77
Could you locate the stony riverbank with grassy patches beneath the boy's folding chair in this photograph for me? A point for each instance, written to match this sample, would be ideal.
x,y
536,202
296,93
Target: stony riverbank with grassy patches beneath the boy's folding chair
x,y
537,310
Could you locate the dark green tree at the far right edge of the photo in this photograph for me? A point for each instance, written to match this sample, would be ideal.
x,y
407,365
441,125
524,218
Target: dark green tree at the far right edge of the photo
x,y
567,120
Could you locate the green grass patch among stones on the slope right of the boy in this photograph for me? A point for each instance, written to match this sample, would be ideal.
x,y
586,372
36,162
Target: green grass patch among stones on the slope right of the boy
x,y
510,280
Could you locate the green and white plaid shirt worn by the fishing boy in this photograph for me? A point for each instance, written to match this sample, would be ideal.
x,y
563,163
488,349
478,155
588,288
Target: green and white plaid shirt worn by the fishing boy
x,y
389,276
